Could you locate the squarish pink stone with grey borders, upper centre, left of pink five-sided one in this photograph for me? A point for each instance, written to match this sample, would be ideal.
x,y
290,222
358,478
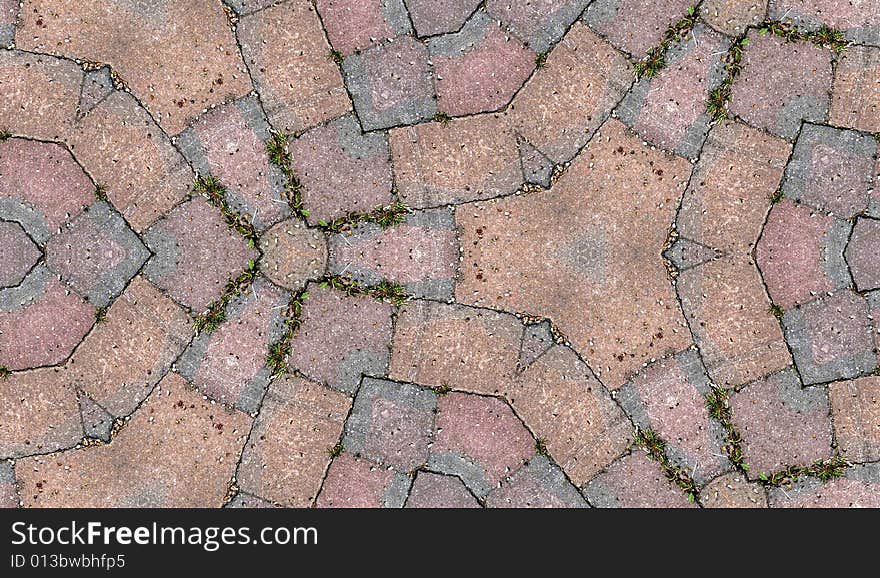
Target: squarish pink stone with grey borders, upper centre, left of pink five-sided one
x,y
391,84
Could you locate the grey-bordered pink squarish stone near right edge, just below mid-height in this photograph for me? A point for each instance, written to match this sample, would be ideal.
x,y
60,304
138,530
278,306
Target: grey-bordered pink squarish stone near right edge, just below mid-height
x,y
830,338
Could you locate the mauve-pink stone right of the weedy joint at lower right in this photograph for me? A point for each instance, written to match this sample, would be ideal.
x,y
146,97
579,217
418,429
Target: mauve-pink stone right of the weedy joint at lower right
x,y
781,424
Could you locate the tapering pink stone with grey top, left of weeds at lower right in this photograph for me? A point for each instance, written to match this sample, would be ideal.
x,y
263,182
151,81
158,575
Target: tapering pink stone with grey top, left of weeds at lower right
x,y
669,397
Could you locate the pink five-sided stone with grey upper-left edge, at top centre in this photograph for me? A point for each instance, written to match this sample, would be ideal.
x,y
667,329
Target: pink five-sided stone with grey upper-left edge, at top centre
x,y
480,68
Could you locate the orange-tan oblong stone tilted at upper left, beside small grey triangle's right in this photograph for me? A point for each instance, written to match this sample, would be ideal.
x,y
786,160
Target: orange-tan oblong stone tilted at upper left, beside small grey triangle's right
x,y
123,149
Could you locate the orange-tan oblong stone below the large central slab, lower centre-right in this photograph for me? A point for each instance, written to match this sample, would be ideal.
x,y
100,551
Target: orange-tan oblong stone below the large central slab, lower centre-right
x,y
567,408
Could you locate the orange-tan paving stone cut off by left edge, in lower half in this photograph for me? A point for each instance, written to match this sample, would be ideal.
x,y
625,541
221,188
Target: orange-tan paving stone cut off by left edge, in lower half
x,y
38,413
